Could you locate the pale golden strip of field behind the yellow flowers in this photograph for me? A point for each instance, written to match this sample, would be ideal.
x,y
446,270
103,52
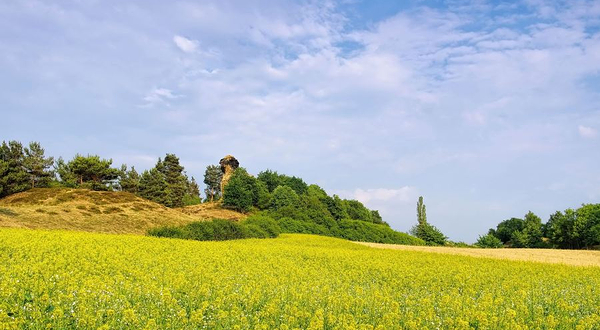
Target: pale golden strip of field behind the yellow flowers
x,y
553,256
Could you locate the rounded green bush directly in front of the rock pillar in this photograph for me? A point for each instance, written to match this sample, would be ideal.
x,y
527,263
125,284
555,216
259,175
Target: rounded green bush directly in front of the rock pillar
x,y
240,191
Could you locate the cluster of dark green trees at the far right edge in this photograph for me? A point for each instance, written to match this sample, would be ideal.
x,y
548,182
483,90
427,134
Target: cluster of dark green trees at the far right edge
x,y
570,229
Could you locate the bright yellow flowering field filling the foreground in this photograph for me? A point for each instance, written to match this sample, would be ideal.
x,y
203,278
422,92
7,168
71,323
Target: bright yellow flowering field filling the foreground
x,y
57,280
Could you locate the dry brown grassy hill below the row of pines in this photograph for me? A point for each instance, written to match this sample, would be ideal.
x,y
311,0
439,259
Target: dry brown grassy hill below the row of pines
x,y
97,211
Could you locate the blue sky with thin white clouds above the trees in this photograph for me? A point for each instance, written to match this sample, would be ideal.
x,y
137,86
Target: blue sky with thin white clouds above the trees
x,y
487,109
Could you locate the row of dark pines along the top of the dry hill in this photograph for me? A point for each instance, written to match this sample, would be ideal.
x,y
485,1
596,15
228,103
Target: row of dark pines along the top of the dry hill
x,y
23,168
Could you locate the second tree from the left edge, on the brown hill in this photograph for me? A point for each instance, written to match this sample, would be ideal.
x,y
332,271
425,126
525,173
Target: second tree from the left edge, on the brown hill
x,y
37,165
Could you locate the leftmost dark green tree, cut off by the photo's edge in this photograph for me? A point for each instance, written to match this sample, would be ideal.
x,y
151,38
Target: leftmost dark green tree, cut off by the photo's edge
x,y
13,177
